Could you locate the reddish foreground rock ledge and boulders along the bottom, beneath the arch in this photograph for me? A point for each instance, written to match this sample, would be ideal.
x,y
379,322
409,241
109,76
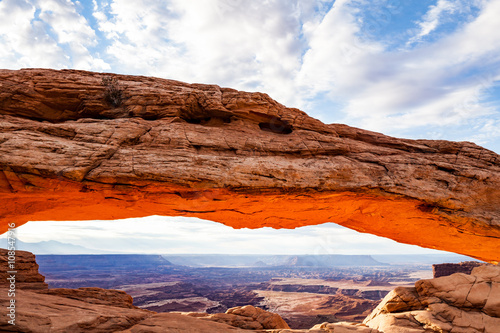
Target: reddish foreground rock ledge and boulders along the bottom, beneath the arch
x,y
455,303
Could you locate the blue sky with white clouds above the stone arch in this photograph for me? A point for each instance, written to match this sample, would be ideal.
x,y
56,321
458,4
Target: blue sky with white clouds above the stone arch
x,y
415,68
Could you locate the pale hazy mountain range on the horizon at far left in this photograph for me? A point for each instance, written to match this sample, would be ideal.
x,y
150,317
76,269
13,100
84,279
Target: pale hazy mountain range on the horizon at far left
x,y
52,247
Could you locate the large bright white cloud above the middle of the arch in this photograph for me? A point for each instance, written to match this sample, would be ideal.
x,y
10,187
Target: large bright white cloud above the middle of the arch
x,y
242,44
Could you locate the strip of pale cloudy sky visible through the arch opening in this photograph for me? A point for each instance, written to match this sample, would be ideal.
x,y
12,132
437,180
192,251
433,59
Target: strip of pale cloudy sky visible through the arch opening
x,y
183,235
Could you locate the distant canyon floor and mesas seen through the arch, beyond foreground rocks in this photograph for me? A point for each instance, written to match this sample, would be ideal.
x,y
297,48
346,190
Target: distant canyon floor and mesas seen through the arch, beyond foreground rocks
x,y
331,288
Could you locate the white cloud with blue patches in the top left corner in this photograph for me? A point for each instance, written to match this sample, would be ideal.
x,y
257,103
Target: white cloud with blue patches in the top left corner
x,y
46,33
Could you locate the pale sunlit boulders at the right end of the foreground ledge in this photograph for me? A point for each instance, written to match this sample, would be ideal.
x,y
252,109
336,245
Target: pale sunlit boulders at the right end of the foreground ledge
x,y
455,303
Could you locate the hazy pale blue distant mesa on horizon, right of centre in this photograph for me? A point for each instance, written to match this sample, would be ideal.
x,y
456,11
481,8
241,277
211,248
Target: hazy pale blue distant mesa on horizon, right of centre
x,y
223,260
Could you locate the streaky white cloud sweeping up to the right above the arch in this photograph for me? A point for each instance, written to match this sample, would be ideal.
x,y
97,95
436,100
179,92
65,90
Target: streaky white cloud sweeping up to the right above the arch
x,y
431,84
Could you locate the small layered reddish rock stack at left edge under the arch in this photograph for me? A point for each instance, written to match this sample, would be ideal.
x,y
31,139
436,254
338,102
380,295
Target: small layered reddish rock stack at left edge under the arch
x,y
26,268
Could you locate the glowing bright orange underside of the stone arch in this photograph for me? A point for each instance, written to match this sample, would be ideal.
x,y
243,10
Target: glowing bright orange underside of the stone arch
x,y
402,219
